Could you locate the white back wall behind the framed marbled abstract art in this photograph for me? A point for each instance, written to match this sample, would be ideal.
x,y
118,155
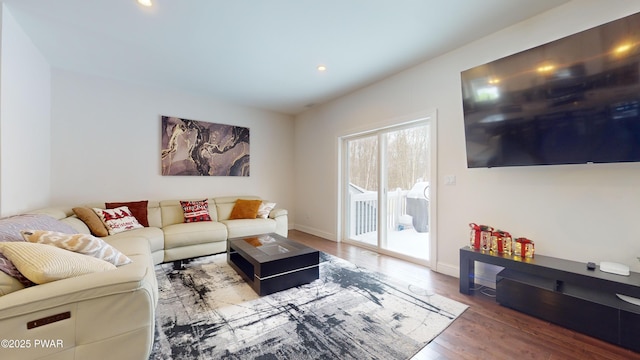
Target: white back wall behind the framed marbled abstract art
x,y
106,144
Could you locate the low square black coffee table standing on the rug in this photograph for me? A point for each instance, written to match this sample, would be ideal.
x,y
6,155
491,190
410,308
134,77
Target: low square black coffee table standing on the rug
x,y
271,263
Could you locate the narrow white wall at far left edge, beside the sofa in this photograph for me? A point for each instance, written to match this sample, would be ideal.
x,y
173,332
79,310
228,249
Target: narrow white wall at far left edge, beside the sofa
x,y
25,107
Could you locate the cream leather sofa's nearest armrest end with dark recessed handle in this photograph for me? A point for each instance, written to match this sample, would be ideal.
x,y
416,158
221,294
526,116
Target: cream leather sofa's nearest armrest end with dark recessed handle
x,y
107,315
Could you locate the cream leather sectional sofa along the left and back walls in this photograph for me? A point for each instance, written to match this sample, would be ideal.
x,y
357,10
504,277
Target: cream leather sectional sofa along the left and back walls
x,y
111,315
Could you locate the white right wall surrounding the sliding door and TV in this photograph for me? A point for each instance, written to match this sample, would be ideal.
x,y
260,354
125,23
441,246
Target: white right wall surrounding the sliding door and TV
x,y
578,212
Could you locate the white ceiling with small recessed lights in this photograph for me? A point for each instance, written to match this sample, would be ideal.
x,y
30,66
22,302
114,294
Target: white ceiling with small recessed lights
x,y
259,53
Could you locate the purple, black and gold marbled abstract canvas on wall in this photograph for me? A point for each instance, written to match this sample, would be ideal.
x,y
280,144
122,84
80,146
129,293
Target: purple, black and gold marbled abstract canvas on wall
x,y
199,148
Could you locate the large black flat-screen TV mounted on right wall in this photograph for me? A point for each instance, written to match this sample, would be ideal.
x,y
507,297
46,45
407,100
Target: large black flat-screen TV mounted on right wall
x,y
572,101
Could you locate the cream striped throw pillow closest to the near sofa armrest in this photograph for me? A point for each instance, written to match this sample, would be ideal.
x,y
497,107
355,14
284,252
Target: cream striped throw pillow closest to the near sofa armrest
x,y
42,263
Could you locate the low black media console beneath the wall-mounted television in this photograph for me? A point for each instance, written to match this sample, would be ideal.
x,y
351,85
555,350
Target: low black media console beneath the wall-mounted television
x,y
563,292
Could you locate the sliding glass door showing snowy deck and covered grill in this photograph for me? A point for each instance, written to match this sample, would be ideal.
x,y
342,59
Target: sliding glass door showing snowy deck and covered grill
x,y
387,190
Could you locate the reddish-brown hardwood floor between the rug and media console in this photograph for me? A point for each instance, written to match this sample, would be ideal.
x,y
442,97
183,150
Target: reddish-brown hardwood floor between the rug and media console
x,y
484,331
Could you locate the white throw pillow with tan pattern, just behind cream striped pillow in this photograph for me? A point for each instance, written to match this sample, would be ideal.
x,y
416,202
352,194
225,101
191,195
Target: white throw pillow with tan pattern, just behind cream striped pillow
x,y
81,243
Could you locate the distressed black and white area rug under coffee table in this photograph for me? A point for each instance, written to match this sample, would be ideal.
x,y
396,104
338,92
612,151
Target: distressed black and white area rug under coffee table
x,y
207,311
